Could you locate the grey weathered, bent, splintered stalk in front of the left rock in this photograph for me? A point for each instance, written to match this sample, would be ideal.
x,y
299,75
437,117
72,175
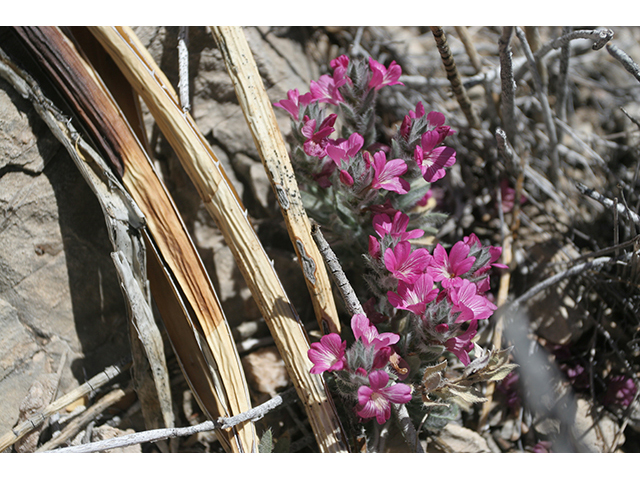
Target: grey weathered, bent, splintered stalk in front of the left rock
x,y
122,217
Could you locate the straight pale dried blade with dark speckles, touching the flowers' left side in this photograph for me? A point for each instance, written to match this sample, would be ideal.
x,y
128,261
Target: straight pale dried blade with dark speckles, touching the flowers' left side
x,y
261,118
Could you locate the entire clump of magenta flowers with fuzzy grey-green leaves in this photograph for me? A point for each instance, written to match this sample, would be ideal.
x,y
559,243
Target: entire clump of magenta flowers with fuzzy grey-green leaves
x,y
369,192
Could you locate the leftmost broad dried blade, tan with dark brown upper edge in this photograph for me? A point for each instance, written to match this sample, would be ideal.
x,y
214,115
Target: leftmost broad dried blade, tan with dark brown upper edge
x,y
92,102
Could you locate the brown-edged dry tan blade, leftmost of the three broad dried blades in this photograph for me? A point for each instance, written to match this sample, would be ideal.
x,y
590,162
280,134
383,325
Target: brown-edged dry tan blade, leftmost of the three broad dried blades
x,y
170,235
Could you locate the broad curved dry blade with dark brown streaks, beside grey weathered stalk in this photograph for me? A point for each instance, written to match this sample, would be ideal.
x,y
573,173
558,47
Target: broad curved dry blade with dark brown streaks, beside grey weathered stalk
x,y
221,377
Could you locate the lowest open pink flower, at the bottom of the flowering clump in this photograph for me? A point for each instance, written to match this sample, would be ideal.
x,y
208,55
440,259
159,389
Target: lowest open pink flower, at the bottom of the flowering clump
x,y
375,401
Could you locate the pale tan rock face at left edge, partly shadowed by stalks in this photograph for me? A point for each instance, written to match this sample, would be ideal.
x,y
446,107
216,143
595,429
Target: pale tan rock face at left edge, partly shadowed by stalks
x,y
58,286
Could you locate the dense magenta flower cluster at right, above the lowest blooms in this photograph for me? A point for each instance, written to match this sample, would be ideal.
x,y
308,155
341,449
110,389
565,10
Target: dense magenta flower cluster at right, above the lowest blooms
x,y
444,292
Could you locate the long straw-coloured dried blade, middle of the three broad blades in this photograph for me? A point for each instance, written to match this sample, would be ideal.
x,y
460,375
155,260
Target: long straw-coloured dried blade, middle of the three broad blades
x,y
223,204
